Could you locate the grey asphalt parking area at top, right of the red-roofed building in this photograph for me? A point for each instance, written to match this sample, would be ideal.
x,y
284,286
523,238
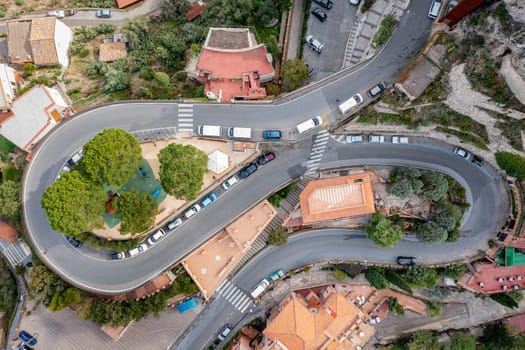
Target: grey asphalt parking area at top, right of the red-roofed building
x,y
333,34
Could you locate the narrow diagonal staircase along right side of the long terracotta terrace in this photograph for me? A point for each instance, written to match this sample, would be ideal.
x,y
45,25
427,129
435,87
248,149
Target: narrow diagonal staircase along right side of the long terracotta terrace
x,y
287,206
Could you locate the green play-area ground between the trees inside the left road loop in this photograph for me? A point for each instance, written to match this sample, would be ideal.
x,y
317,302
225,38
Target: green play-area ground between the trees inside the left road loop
x,y
143,184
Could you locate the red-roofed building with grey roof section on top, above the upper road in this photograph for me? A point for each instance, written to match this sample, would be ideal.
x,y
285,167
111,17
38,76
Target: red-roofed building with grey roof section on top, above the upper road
x,y
232,65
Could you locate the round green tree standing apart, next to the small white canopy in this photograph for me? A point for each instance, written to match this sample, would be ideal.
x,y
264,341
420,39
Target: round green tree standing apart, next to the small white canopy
x,y
182,168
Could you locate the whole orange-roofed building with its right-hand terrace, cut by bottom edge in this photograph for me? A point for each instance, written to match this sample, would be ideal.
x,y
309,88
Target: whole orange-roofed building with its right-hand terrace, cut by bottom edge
x,y
317,321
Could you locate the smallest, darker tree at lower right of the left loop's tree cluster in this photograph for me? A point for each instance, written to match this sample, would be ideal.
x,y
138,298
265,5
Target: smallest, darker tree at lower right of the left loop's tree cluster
x,y
137,211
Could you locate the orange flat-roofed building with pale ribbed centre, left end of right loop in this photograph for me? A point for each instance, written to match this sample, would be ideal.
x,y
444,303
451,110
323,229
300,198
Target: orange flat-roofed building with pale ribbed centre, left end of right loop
x,y
335,198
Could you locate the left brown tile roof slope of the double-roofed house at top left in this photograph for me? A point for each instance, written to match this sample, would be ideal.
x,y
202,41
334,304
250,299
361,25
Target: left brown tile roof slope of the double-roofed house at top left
x,y
18,45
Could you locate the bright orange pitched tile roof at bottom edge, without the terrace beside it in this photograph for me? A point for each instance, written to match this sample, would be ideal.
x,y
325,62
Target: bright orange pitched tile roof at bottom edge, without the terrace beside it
x,y
299,327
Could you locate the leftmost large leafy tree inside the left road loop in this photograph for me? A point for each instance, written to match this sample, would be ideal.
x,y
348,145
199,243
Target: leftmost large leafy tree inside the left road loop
x,y
74,204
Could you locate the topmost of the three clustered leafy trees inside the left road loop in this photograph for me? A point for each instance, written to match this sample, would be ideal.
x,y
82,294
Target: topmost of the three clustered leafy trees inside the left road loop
x,y
111,157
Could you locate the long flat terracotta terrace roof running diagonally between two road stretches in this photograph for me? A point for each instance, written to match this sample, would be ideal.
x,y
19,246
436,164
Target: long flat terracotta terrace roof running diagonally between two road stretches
x,y
209,264
